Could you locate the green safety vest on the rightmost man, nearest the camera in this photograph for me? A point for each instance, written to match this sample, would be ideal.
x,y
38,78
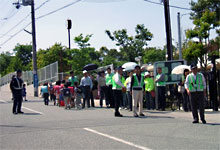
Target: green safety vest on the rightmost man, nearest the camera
x,y
195,85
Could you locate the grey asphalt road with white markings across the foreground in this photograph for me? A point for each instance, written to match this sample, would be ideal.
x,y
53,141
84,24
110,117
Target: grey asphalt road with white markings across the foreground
x,y
51,127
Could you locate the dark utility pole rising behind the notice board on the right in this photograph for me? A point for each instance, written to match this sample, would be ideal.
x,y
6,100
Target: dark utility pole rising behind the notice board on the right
x,y
168,29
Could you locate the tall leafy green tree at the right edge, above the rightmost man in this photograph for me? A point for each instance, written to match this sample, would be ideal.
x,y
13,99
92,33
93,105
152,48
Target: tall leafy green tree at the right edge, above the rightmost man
x,y
205,16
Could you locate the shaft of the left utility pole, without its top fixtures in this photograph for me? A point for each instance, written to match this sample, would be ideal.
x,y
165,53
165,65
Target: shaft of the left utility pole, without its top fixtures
x,y
34,57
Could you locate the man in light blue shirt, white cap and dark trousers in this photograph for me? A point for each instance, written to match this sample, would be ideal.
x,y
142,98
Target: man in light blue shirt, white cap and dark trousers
x,y
86,84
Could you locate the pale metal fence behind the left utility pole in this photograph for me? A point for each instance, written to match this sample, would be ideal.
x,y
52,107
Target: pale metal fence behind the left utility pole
x,y
46,74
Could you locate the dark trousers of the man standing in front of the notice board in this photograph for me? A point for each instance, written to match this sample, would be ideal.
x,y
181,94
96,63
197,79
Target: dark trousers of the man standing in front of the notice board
x,y
161,97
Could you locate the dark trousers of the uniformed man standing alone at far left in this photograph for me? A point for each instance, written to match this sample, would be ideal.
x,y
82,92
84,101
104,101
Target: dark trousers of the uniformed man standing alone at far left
x,y
17,101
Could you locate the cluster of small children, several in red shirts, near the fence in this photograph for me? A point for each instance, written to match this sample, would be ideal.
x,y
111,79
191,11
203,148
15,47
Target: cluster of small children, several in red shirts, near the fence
x,y
62,94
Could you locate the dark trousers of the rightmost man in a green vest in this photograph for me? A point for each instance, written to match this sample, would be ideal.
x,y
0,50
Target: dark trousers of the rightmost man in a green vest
x,y
197,101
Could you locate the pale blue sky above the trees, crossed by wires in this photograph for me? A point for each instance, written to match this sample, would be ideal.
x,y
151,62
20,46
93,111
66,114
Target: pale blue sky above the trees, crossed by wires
x,y
88,17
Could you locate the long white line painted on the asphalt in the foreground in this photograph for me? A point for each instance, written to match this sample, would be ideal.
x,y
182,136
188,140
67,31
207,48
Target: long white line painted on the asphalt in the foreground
x,y
117,139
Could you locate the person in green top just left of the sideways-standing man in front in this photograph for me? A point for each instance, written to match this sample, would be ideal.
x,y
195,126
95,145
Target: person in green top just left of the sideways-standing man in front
x,y
109,93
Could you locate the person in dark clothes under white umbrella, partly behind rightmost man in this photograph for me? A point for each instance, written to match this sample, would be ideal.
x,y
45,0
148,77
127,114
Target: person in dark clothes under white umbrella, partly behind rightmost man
x,y
185,96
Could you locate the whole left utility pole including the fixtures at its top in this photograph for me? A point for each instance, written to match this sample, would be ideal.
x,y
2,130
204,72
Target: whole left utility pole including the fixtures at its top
x,y
34,56
